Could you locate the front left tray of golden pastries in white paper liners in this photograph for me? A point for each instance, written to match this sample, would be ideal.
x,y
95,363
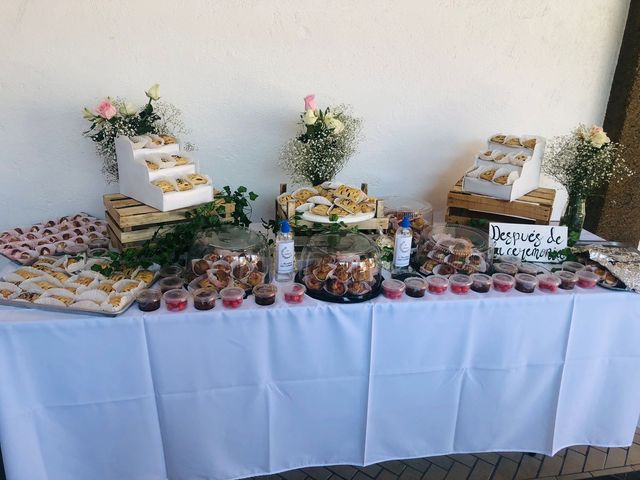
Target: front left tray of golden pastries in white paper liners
x,y
71,284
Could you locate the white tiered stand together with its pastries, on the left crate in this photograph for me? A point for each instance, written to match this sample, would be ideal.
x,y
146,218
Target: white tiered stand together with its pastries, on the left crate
x,y
153,170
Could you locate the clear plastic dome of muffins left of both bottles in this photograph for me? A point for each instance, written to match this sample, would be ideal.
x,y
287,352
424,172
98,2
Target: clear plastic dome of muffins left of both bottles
x,y
230,256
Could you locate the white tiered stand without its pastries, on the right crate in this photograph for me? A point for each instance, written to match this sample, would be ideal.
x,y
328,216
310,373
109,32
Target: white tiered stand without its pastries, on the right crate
x,y
529,173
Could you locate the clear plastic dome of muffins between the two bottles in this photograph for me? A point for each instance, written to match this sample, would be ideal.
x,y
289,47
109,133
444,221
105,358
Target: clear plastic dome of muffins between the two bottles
x,y
341,267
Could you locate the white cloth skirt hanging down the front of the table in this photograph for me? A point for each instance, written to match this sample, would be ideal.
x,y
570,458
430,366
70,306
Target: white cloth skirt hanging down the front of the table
x,y
229,394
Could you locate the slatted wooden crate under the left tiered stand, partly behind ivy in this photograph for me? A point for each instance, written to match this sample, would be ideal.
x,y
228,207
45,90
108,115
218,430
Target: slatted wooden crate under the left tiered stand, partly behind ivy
x,y
131,223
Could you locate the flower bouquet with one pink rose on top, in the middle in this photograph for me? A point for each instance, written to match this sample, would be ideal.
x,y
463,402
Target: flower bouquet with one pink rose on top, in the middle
x,y
328,139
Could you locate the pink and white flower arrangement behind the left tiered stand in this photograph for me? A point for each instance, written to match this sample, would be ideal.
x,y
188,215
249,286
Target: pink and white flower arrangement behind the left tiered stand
x,y
114,117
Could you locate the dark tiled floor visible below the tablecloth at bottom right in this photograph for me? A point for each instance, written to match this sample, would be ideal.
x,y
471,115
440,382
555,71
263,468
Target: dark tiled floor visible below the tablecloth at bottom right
x,y
569,464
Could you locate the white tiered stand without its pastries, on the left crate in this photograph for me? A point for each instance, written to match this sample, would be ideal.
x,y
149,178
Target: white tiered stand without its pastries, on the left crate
x,y
135,178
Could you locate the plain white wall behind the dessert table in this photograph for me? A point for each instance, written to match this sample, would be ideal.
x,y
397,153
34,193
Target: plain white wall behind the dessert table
x,y
430,78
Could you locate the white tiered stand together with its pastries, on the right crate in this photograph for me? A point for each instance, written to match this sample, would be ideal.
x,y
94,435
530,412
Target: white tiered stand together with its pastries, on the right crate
x,y
508,168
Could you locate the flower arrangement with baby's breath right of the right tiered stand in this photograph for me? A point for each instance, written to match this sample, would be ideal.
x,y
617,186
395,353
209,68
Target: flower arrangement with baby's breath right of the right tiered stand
x,y
585,161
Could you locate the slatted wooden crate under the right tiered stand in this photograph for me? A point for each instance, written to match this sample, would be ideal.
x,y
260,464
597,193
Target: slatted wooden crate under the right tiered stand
x,y
533,208
